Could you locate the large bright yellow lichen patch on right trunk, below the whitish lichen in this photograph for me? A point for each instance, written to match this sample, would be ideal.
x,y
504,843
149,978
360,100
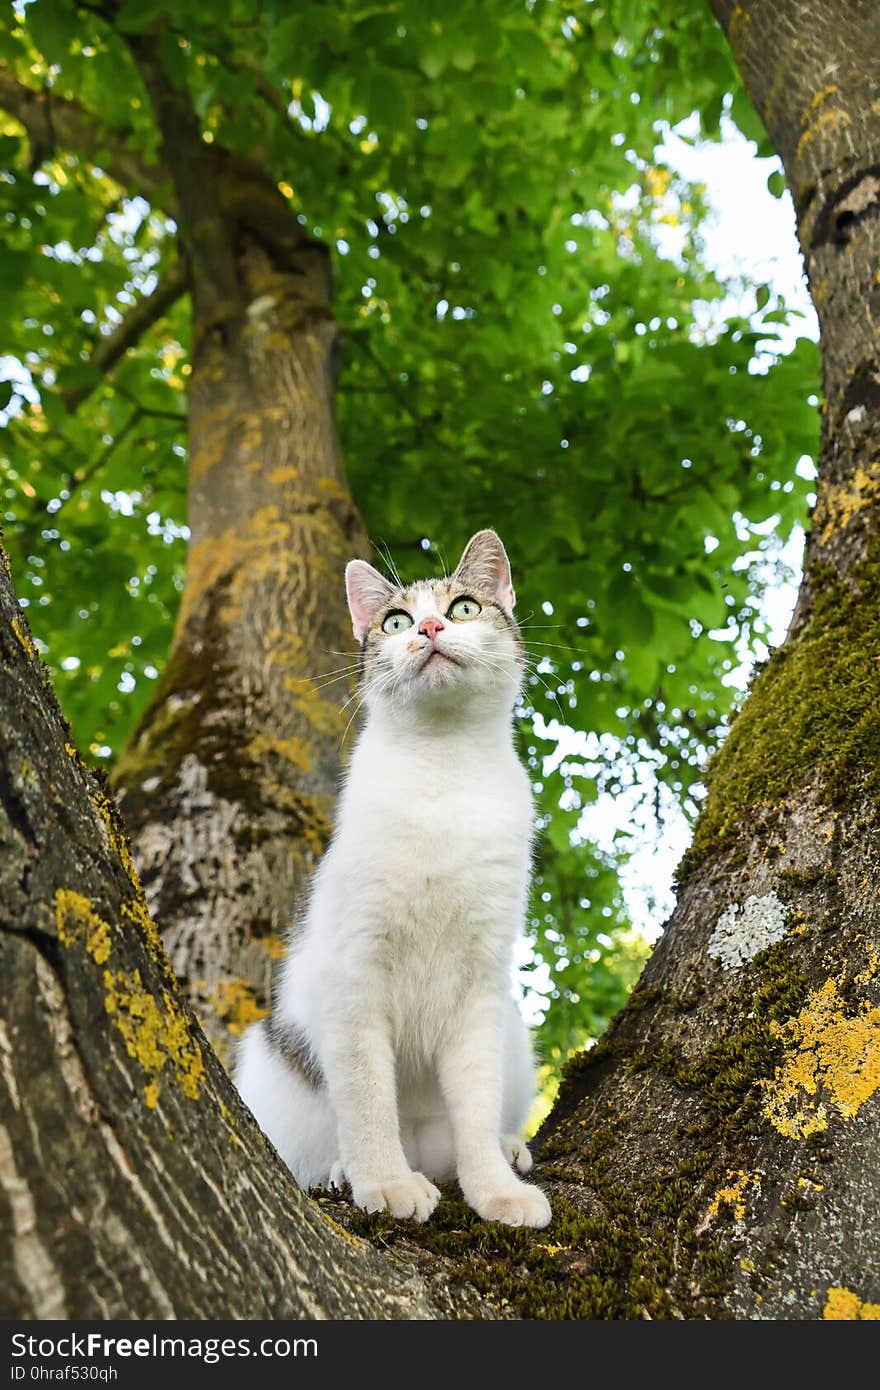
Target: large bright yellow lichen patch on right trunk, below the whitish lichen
x,y
832,1064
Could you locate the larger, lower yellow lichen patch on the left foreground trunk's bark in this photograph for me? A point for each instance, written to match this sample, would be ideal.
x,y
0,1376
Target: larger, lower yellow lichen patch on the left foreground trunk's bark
x,y
155,1031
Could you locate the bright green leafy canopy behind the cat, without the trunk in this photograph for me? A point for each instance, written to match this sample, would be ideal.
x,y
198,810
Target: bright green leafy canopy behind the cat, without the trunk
x,y
525,302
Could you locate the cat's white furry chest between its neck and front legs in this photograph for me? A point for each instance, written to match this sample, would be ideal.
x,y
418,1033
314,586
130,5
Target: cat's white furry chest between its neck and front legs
x,y
441,847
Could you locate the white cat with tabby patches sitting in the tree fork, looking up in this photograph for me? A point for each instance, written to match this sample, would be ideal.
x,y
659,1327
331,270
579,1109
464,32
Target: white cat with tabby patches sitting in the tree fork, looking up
x,y
396,1057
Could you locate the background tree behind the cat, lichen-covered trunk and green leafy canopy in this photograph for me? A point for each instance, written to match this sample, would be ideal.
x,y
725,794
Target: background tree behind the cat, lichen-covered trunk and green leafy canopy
x,y
511,320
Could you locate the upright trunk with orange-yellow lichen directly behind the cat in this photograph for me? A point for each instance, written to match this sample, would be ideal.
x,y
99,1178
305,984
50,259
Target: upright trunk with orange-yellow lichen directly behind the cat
x,y
229,783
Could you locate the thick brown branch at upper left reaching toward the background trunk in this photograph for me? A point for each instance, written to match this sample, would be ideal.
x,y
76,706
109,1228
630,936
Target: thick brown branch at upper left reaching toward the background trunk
x,y
55,122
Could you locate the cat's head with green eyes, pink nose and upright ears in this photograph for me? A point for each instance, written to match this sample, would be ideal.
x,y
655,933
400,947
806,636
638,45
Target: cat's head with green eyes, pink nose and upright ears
x,y
439,643
